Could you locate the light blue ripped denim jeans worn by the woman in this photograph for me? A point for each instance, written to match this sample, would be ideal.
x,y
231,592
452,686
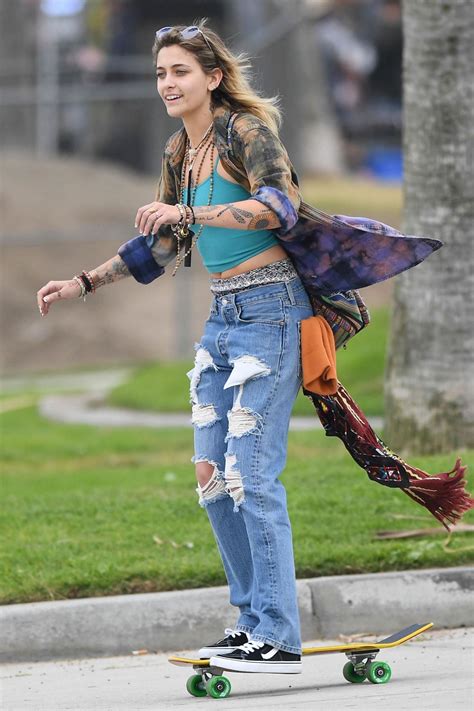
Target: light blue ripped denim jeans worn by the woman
x,y
246,376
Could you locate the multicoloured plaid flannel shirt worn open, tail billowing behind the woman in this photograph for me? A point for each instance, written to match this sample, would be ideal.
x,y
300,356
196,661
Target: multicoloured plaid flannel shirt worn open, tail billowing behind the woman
x,y
331,253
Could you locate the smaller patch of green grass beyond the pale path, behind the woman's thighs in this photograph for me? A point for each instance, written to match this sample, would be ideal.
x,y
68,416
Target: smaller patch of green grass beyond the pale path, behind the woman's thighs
x,y
165,387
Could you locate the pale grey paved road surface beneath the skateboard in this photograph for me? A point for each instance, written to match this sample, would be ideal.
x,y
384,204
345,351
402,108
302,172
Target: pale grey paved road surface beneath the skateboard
x,y
433,672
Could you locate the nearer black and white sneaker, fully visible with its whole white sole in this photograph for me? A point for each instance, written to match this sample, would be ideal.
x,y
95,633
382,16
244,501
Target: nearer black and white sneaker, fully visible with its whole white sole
x,y
259,657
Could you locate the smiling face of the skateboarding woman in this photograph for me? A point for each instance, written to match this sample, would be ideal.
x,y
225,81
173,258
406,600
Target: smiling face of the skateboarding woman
x,y
180,75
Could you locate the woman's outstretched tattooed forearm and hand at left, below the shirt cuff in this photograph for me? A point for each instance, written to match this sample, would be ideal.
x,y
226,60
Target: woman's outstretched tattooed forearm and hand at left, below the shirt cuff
x,y
111,271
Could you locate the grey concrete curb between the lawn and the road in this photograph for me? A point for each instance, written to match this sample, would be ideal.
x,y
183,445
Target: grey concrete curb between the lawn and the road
x,y
377,603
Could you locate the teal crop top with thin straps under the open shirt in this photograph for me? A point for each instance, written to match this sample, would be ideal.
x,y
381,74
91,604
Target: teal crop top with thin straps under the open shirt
x,y
222,248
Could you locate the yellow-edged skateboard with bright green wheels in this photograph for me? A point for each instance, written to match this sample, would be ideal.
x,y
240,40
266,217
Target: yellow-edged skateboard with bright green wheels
x,y
209,681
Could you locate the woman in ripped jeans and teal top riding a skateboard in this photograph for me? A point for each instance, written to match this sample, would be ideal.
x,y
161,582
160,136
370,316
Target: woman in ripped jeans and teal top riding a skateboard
x,y
228,188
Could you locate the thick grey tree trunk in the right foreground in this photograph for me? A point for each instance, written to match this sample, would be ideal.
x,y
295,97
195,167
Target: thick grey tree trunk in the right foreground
x,y
430,375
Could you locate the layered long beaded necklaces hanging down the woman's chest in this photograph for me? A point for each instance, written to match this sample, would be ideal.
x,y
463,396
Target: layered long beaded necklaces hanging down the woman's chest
x,y
185,235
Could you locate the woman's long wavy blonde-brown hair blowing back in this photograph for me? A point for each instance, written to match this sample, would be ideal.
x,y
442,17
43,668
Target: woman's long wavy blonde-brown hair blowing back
x,y
234,91
